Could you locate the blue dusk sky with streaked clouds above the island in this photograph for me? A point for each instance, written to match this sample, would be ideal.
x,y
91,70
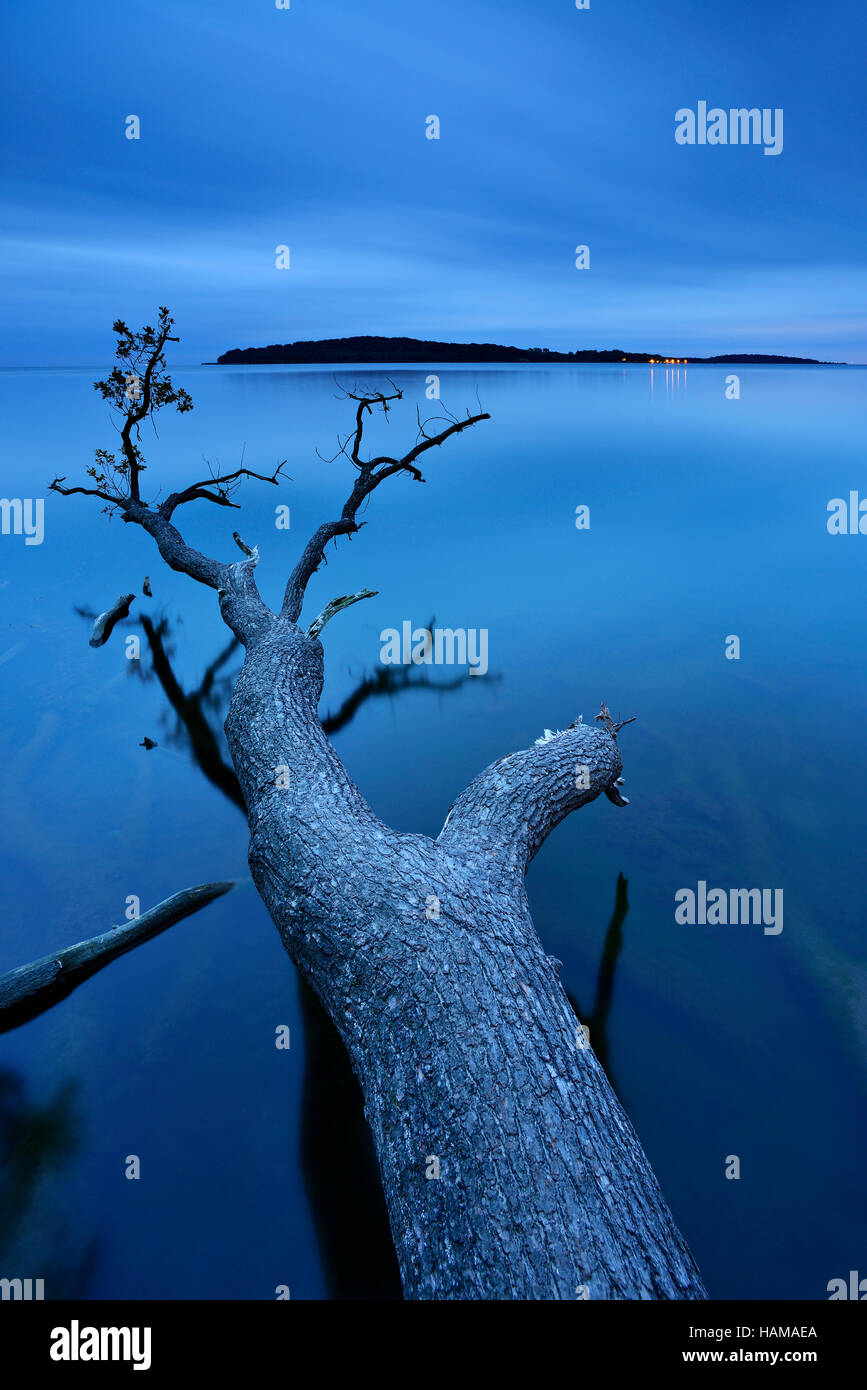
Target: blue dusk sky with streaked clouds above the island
x,y
262,127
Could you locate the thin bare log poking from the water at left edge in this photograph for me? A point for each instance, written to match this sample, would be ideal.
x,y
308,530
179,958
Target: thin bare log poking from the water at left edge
x,y
35,988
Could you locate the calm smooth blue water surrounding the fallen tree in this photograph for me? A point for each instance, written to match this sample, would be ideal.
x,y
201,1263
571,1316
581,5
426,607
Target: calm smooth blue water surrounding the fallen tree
x,y
708,519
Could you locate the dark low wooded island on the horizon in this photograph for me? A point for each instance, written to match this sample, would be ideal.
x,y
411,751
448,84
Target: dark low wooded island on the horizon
x,y
415,351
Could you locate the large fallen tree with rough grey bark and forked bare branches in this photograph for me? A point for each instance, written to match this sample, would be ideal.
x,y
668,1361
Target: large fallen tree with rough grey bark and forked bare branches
x,y
423,951
